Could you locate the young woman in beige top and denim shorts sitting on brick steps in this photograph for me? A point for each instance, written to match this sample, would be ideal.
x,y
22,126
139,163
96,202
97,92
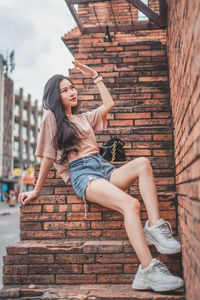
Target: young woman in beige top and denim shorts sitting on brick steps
x,y
67,140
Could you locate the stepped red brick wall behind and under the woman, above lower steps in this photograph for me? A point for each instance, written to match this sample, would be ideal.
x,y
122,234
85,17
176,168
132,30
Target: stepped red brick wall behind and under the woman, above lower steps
x,y
136,74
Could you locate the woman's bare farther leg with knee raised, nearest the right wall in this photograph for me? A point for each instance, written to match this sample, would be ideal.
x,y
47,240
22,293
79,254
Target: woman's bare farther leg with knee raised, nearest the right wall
x,y
124,177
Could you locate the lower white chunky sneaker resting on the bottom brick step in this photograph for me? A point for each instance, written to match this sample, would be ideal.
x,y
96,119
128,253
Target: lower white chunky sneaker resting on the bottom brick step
x,y
156,277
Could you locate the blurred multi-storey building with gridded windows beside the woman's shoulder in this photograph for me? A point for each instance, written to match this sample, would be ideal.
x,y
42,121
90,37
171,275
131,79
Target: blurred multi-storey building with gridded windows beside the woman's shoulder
x,y
27,117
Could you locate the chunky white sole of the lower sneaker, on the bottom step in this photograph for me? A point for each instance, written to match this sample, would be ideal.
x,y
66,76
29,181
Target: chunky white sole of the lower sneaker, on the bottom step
x,y
140,285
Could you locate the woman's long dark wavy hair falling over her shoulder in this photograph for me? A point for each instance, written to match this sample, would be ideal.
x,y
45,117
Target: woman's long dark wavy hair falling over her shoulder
x,y
68,135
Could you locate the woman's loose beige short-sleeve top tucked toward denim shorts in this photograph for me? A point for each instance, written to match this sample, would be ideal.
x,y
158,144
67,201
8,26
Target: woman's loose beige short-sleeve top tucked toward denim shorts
x,y
88,122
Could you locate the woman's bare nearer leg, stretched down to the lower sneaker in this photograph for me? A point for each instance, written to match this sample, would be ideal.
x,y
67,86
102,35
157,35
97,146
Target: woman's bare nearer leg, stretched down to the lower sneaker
x,y
106,194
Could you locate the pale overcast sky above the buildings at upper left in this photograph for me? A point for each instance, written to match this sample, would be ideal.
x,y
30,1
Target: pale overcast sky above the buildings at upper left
x,y
33,29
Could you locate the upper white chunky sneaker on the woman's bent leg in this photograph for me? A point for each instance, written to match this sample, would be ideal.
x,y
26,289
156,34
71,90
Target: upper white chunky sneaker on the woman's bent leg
x,y
160,235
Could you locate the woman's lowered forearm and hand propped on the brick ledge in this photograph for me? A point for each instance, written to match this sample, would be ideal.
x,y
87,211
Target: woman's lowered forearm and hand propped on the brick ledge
x,y
45,166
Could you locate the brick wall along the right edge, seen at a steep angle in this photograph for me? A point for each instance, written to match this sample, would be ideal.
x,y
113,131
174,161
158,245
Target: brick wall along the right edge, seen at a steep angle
x,y
184,70
